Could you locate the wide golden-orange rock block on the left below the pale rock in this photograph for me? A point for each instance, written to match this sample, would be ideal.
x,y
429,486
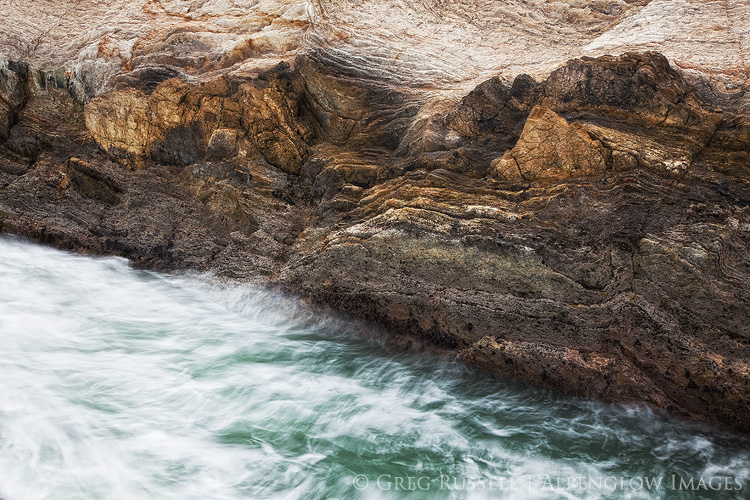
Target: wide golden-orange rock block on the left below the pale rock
x,y
180,123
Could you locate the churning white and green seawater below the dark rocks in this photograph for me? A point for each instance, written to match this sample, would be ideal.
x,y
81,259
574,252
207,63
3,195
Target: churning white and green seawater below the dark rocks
x,y
122,384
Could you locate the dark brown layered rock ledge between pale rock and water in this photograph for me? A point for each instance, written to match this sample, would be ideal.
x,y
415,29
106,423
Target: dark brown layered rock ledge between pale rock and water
x,y
589,233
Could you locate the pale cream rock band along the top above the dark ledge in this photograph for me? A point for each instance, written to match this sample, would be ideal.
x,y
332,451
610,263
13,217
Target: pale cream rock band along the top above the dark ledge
x,y
447,47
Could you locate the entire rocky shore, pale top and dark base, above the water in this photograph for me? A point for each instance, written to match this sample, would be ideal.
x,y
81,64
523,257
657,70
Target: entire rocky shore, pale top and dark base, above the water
x,y
583,226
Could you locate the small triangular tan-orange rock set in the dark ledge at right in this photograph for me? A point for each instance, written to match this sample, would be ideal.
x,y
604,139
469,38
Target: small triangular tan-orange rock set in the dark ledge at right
x,y
551,148
